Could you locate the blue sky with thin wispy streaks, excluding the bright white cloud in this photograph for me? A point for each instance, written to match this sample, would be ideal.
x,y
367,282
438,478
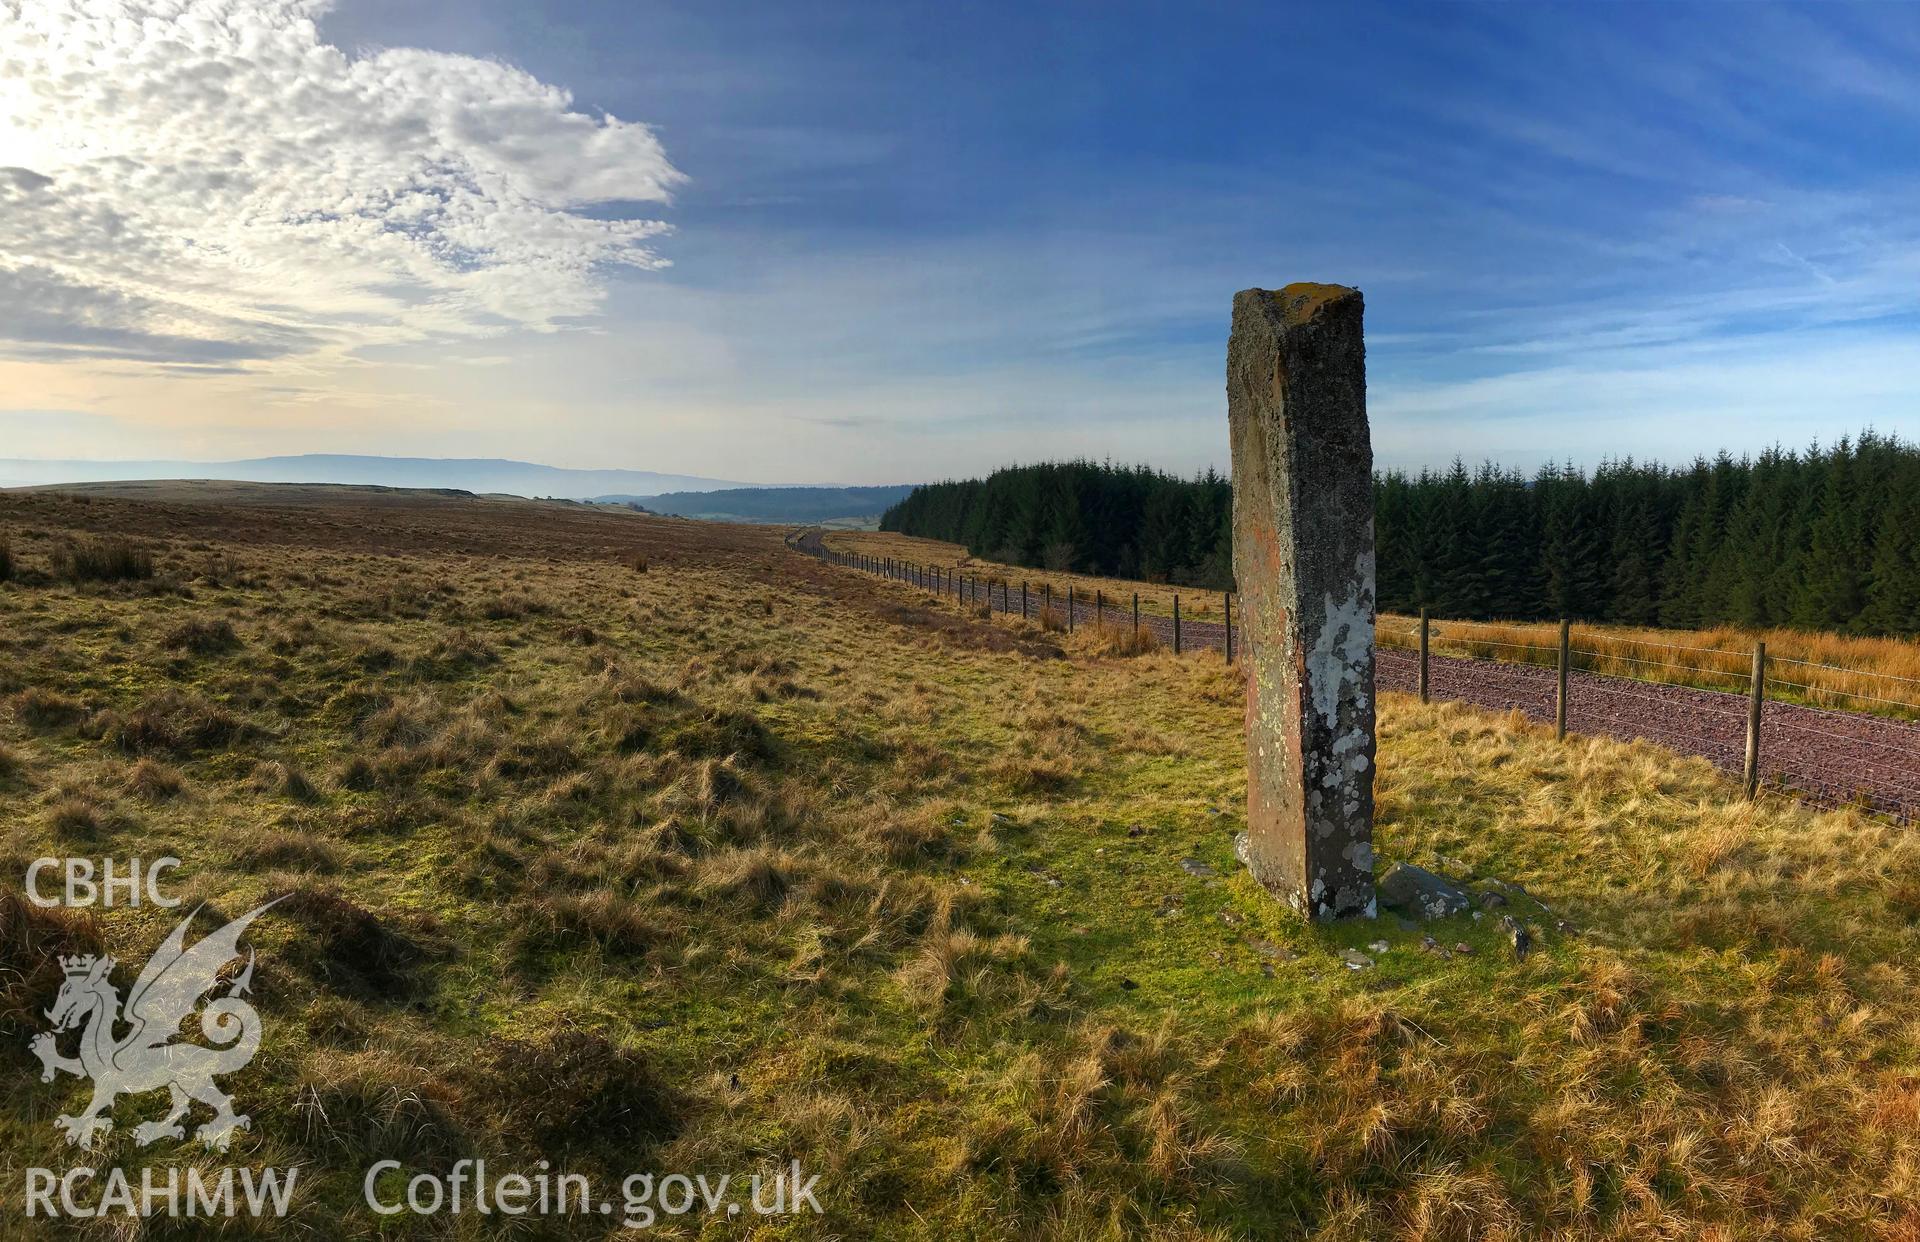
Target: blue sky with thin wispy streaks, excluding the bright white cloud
x,y
913,241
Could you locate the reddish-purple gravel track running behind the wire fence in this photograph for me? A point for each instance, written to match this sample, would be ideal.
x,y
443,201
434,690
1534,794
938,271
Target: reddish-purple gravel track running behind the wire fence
x,y
1821,755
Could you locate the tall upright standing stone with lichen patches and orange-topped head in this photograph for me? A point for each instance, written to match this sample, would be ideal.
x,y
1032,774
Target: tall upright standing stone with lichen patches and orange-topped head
x,y
1303,554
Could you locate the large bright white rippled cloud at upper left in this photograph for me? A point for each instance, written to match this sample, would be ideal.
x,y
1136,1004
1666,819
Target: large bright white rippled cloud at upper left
x,y
208,183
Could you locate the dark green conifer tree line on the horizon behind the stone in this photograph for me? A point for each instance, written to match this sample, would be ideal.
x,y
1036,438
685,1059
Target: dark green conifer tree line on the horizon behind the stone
x,y
1823,538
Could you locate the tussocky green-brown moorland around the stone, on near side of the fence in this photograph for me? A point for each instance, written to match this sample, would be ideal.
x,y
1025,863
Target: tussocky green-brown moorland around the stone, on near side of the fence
x,y
640,846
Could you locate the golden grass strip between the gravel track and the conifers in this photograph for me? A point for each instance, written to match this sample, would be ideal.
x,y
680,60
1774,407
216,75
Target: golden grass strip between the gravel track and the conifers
x,y
1833,671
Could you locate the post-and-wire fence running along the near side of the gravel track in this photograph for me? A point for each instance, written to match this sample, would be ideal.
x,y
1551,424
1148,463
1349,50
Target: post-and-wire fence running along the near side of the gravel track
x,y
1796,736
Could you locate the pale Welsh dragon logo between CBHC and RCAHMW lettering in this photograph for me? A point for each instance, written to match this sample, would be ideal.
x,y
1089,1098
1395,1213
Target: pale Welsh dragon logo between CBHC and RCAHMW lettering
x,y
147,1057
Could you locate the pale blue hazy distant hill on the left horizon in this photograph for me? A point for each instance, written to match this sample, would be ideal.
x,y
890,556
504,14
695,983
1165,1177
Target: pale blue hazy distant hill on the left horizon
x,y
466,473
